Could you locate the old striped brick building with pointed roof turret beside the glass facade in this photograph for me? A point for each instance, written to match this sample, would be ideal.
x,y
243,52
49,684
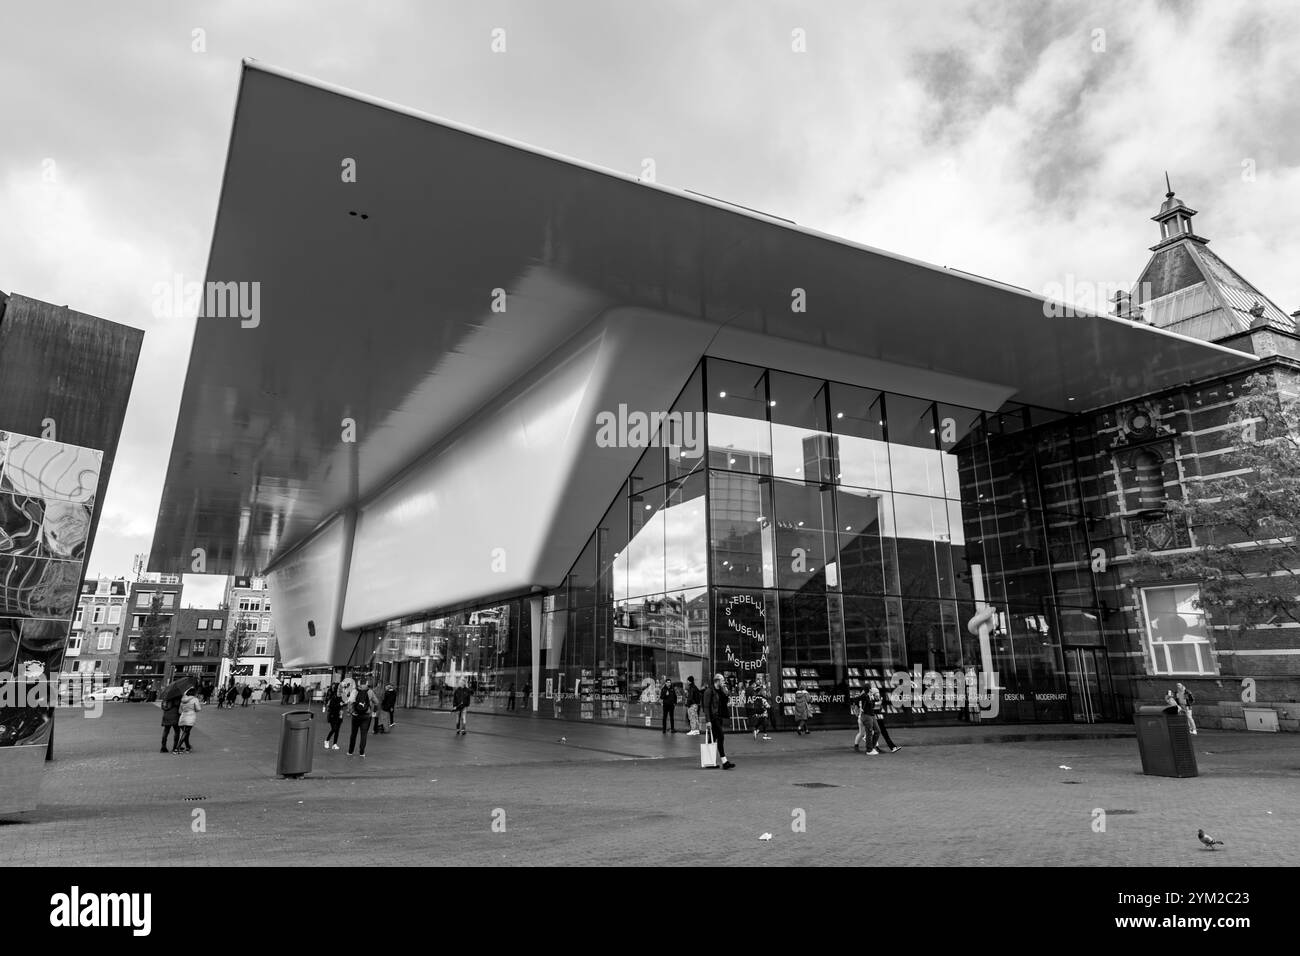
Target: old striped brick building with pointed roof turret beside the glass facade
x,y
1102,485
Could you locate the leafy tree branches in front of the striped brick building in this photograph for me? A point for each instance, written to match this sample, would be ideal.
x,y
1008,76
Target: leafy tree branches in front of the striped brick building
x,y
1247,526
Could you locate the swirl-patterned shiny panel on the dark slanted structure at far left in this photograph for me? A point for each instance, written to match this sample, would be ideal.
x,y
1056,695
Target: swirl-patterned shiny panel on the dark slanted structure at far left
x,y
47,501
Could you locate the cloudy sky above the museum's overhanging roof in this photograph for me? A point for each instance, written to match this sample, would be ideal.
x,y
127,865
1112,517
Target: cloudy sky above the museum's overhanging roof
x,y
1021,141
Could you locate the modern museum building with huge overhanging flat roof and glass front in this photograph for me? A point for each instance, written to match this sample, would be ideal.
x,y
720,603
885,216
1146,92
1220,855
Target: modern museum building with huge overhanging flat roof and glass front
x,y
493,416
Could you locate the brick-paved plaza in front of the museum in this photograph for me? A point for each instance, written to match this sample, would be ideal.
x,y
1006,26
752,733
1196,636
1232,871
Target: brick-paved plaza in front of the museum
x,y
961,797
